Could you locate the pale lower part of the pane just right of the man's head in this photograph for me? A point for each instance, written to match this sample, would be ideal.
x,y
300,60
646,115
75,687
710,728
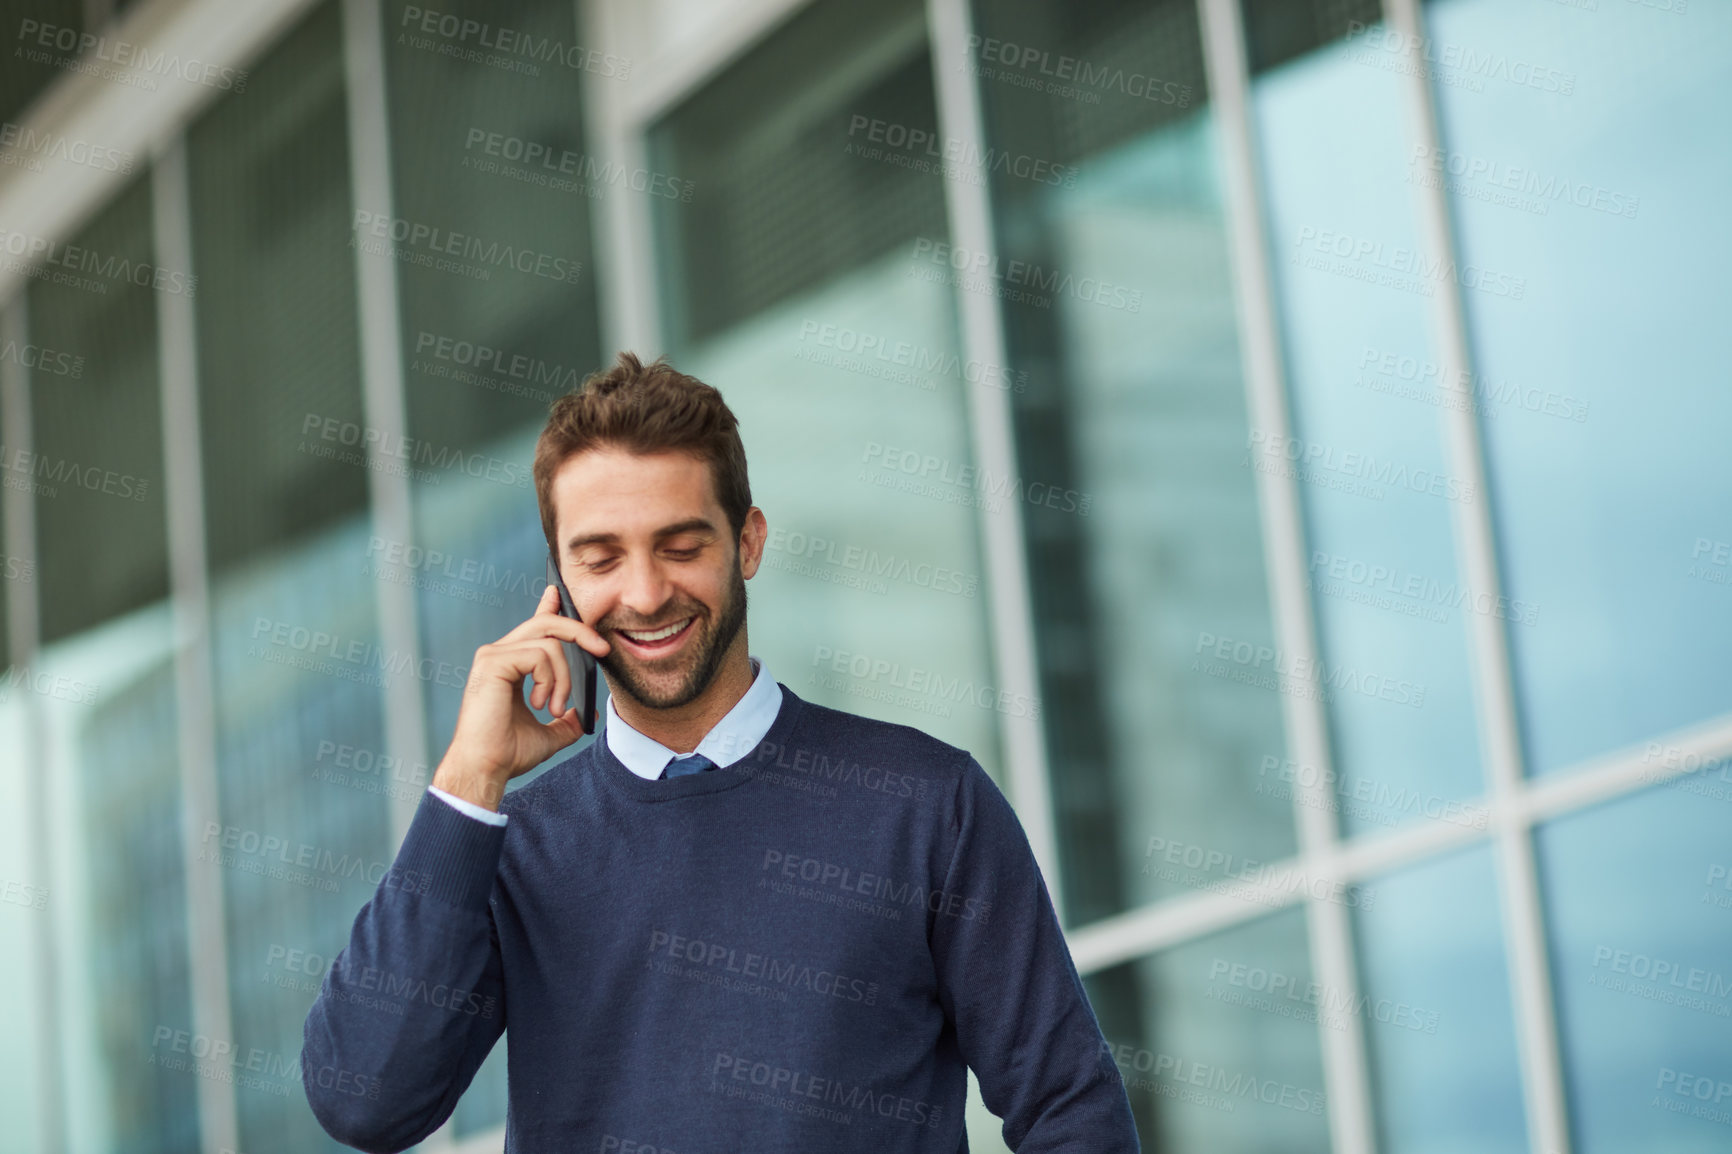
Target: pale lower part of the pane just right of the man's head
x,y
855,628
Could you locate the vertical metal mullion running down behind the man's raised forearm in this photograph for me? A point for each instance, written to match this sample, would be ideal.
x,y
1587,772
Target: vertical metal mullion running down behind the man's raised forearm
x,y
382,386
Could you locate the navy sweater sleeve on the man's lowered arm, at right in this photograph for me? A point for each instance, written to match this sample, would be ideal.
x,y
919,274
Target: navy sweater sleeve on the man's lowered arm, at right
x,y
1009,987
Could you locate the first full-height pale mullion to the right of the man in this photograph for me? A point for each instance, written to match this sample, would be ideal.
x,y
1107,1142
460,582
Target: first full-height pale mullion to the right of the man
x,y
1331,933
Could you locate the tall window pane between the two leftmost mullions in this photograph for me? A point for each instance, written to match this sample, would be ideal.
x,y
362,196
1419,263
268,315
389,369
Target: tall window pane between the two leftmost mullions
x,y
107,737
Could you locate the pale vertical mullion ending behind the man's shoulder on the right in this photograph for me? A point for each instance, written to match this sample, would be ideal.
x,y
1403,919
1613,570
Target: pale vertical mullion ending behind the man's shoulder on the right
x,y
995,446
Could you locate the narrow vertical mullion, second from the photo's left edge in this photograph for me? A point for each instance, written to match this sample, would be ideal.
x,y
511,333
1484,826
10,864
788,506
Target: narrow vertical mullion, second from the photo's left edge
x,y
191,611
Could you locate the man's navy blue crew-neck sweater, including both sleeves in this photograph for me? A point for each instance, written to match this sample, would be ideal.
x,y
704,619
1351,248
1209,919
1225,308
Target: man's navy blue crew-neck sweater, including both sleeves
x,y
796,954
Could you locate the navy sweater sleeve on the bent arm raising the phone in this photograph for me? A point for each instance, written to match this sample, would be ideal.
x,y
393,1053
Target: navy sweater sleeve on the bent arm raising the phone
x,y
415,1002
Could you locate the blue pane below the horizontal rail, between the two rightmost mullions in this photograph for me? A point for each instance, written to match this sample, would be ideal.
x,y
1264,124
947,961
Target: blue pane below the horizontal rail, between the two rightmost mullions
x,y
1442,1035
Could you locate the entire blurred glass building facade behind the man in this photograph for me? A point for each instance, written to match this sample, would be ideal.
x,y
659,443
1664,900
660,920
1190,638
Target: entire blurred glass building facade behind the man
x,y
1284,441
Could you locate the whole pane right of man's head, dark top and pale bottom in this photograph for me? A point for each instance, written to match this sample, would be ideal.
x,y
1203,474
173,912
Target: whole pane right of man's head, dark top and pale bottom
x,y
782,278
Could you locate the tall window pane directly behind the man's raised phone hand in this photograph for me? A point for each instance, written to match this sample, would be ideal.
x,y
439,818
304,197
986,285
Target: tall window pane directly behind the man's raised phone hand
x,y
489,340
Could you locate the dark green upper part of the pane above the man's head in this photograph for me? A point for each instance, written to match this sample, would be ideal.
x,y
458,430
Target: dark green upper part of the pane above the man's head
x,y
785,148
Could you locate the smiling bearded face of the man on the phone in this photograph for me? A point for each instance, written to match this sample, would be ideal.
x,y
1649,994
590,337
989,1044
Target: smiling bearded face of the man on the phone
x,y
652,566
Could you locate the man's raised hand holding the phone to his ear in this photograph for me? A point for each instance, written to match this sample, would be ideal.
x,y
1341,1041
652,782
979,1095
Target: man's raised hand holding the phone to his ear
x,y
498,737
